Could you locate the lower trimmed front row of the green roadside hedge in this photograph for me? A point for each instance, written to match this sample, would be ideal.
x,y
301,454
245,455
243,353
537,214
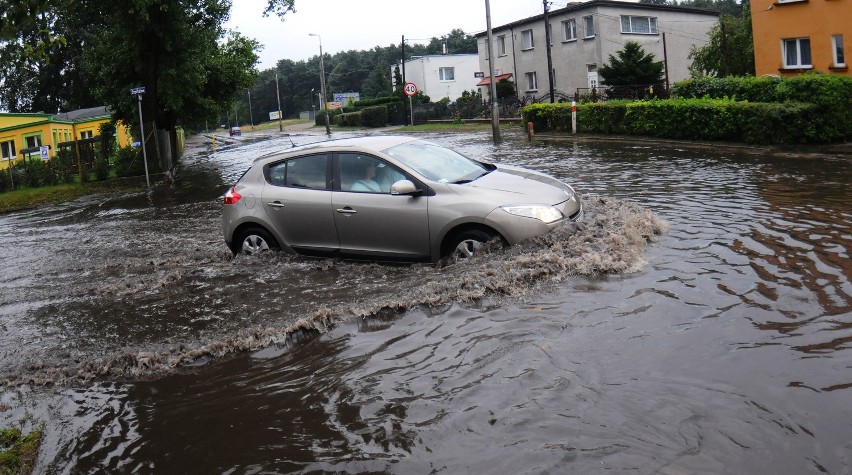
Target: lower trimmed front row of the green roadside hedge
x,y
688,119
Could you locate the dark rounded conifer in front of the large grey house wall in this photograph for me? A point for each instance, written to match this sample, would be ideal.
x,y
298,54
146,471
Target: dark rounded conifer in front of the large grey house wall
x,y
632,66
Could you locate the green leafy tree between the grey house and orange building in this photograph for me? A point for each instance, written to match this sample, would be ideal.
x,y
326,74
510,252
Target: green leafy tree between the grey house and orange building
x,y
730,51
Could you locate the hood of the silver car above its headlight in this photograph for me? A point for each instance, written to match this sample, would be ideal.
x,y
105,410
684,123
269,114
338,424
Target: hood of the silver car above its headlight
x,y
511,185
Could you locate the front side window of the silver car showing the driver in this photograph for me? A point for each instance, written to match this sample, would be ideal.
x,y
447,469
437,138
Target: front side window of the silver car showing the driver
x,y
367,174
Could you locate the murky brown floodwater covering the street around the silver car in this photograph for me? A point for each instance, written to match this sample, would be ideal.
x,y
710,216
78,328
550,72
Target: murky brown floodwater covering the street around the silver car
x,y
698,321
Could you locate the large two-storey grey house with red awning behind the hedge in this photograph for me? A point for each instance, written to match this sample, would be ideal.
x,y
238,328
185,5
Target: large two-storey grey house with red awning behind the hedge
x,y
584,35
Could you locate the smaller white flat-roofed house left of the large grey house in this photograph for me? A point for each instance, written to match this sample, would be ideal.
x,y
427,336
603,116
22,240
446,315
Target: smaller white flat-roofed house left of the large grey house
x,y
440,76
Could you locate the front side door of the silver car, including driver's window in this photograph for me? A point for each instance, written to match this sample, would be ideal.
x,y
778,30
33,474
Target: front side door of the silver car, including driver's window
x,y
372,221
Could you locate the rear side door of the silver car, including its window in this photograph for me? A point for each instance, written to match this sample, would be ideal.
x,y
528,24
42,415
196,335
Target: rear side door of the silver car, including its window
x,y
297,199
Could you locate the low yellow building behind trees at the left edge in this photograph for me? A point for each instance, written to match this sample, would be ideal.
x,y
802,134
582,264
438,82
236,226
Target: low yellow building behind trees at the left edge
x,y
25,135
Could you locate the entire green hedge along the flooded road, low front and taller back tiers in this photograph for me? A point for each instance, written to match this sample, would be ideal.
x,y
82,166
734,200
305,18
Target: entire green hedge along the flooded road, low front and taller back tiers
x,y
811,108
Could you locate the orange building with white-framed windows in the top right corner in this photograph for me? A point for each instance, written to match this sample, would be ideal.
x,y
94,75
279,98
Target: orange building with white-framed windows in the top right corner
x,y
795,36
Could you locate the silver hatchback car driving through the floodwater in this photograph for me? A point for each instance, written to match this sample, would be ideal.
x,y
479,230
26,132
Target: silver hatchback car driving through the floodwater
x,y
389,198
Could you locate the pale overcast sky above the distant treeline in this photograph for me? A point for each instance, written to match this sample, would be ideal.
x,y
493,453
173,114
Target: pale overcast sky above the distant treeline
x,y
363,24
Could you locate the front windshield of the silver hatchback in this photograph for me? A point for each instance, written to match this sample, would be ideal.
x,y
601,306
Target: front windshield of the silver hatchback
x,y
437,163
